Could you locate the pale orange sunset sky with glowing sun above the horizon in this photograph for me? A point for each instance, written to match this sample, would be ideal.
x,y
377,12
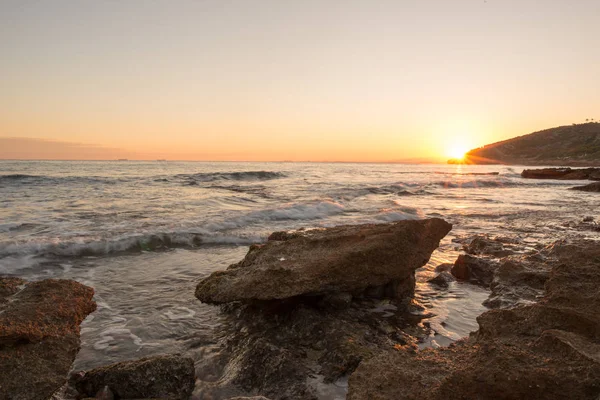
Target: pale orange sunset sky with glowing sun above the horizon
x,y
274,80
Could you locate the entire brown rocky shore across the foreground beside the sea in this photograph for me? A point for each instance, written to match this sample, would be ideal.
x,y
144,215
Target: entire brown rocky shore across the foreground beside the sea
x,y
318,306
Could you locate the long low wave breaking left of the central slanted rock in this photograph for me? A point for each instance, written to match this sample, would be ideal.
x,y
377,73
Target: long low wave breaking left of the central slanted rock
x,y
135,243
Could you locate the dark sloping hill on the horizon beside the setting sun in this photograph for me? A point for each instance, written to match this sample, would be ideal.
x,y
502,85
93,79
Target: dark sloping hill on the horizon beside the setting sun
x,y
572,145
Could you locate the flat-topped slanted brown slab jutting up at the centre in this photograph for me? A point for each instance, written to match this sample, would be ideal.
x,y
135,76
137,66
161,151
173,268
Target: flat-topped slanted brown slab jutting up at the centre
x,y
319,262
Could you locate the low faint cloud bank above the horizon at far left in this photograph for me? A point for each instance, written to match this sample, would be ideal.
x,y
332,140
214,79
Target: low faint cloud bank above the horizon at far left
x,y
45,149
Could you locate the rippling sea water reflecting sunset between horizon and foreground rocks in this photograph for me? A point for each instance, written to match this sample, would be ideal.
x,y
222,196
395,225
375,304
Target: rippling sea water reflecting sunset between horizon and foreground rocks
x,y
144,233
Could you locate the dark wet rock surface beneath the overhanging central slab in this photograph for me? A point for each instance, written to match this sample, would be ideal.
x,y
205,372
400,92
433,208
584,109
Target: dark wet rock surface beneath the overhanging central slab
x,y
284,349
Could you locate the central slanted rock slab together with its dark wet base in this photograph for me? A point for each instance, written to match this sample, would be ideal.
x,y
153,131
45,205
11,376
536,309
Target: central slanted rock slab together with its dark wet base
x,y
307,306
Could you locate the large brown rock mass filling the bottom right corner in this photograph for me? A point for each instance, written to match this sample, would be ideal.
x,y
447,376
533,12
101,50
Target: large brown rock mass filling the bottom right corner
x,y
548,350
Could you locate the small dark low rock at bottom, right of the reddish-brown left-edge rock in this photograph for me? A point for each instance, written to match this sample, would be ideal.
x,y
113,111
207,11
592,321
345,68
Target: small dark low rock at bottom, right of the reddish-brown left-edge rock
x,y
167,376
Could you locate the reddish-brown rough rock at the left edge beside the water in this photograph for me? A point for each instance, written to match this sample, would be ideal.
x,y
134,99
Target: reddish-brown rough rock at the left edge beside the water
x,y
39,335
